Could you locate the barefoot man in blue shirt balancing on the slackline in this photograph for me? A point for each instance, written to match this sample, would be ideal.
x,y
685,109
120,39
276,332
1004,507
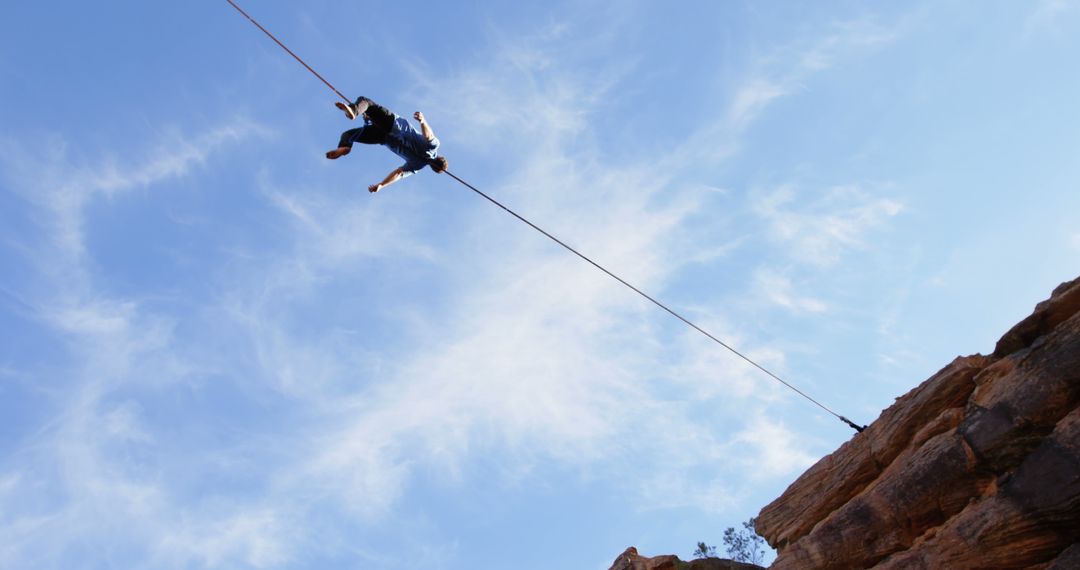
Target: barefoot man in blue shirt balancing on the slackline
x,y
382,127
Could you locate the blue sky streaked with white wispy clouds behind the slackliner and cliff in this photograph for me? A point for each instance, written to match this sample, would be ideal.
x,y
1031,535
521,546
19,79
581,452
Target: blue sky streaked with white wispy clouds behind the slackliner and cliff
x,y
220,351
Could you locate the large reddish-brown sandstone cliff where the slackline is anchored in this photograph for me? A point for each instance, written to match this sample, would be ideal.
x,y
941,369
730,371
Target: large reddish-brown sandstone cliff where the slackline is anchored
x,y
977,468
